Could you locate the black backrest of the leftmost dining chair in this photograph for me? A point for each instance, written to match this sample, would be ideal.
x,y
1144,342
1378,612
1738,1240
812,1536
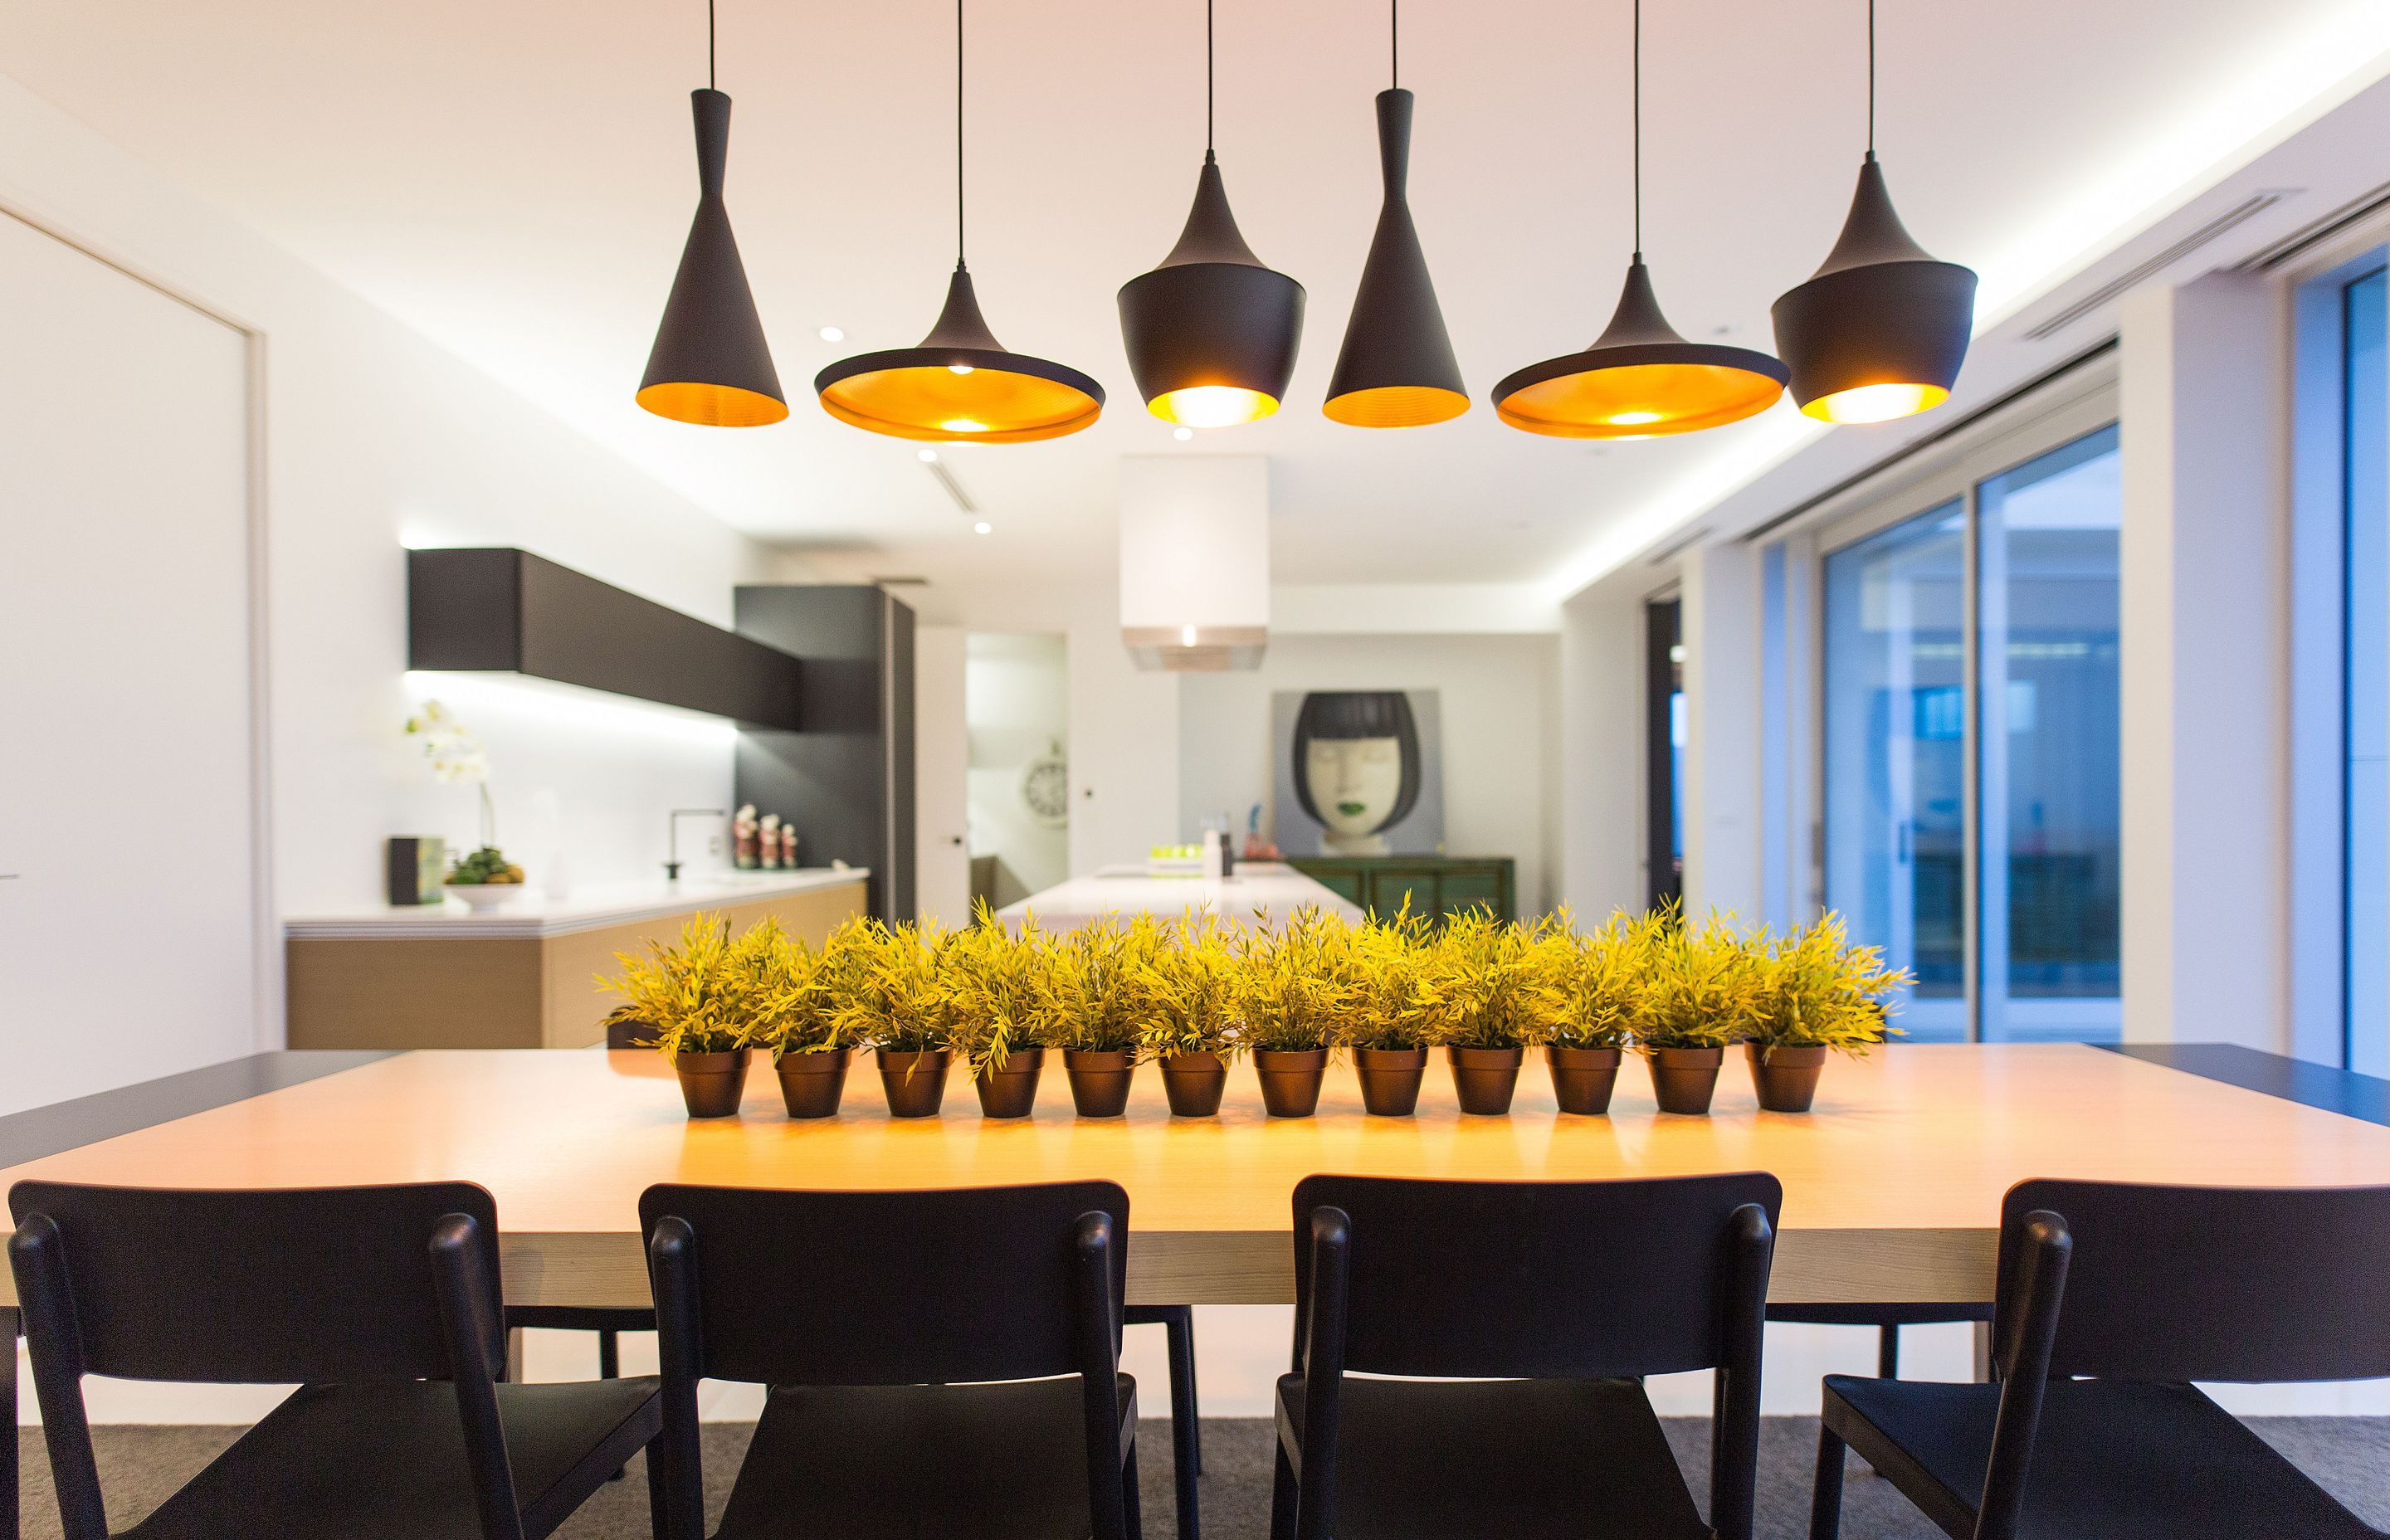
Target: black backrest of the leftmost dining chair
x,y
252,1288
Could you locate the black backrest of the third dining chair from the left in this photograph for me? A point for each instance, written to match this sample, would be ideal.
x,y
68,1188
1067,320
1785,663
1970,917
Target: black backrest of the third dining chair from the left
x,y
1536,1278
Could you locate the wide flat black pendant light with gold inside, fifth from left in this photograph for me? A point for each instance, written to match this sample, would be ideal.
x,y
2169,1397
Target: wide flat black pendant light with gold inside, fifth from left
x,y
1641,379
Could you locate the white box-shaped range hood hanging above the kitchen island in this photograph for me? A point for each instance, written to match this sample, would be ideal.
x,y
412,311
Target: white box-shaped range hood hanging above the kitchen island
x,y
1196,561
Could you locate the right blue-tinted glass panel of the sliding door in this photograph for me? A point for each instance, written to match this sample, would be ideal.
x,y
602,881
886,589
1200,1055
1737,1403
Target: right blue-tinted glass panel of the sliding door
x,y
2047,563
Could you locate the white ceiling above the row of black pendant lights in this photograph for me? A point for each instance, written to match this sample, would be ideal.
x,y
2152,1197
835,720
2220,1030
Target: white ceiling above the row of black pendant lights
x,y
515,181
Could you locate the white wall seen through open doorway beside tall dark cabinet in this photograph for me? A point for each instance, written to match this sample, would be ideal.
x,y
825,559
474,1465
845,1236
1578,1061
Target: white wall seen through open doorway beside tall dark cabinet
x,y
1017,690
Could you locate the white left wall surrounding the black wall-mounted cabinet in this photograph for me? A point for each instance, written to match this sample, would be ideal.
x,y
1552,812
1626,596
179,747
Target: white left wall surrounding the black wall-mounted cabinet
x,y
374,436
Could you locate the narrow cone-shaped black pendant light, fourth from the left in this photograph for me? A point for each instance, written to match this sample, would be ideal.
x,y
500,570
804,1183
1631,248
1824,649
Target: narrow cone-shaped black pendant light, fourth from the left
x,y
1397,367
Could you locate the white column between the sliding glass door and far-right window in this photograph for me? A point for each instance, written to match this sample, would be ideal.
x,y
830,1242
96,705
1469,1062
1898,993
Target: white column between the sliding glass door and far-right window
x,y
2205,666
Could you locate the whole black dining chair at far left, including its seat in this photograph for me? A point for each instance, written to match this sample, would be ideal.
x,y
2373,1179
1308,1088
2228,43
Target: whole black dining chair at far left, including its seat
x,y
379,1302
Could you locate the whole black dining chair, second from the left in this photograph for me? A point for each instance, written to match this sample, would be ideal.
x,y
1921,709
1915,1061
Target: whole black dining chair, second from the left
x,y
936,1362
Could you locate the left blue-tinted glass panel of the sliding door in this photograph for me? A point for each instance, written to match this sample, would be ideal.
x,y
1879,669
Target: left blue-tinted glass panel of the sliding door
x,y
1896,757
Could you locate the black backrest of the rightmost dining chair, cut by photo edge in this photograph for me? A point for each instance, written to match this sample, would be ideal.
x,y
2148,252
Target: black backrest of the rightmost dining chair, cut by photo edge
x,y
2205,1283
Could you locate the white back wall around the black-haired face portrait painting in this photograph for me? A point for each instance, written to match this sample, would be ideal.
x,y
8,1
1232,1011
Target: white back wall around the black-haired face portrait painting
x,y
1500,702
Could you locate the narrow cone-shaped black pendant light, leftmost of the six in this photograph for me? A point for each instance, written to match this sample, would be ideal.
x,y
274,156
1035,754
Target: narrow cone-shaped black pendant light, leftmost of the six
x,y
711,365
